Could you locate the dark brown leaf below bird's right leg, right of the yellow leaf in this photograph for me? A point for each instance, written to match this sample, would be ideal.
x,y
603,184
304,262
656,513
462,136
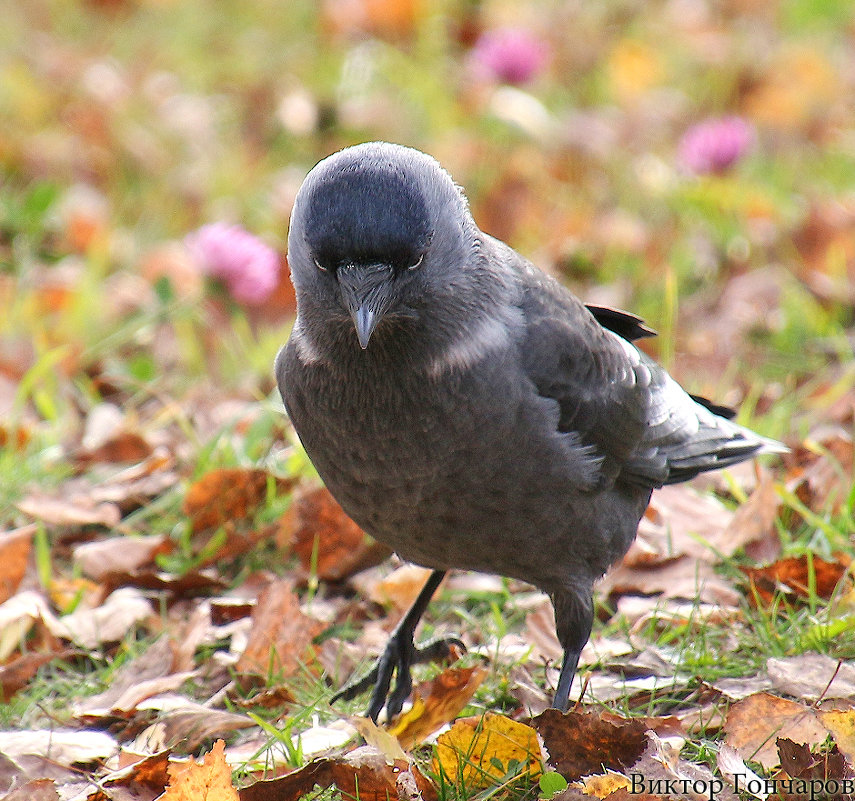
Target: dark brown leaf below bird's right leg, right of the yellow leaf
x,y
582,743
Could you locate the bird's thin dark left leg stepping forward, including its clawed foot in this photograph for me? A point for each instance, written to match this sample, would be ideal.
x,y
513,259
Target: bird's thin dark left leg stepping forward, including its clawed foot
x,y
400,654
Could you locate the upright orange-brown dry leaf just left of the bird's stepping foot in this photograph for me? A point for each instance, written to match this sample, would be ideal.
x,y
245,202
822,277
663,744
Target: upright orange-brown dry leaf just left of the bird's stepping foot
x,y
282,635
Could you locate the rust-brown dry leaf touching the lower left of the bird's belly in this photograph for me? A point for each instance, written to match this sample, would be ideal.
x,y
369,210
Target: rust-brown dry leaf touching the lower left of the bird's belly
x,y
327,542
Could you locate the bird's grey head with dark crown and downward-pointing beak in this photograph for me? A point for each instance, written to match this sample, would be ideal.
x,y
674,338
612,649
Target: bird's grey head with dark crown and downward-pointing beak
x,y
377,232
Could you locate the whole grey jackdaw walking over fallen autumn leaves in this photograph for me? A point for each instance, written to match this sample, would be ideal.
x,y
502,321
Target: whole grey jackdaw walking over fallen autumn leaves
x,y
465,408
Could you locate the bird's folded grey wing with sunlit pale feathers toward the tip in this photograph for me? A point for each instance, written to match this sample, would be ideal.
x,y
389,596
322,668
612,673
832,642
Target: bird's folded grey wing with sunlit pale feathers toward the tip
x,y
618,400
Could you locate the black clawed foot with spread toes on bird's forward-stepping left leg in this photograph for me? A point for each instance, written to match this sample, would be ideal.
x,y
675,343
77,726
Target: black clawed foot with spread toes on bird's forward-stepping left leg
x,y
399,656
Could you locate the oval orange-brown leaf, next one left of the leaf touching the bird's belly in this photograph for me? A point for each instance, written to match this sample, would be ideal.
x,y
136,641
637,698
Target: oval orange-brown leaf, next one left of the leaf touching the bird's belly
x,y
225,495
